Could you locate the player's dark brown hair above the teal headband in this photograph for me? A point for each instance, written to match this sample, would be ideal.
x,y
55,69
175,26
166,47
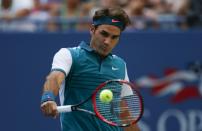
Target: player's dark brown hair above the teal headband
x,y
117,13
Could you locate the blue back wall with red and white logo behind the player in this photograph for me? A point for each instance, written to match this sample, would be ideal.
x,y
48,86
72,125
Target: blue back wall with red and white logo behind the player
x,y
26,60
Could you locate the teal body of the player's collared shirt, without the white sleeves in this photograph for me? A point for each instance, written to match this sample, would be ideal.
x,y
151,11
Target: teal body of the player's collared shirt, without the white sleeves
x,y
87,72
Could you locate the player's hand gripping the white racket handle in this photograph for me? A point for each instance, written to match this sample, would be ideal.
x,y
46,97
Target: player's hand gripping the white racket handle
x,y
49,108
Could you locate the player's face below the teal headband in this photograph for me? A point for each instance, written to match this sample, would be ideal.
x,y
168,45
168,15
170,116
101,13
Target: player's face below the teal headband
x,y
104,38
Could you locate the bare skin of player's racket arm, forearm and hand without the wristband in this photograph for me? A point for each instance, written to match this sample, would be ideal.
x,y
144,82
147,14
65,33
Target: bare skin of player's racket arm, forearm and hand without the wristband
x,y
52,84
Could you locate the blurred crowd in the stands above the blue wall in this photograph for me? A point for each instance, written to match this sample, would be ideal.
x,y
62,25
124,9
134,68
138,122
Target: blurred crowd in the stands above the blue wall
x,y
76,15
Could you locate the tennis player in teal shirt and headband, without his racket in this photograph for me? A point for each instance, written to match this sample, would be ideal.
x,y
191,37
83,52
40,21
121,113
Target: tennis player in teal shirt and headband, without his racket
x,y
76,72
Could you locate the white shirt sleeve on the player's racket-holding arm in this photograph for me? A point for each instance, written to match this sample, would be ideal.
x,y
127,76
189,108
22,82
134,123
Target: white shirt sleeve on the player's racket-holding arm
x,y
62,61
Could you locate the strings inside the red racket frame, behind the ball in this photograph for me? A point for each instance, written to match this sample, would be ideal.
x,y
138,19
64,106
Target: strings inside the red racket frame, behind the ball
x,y
124,108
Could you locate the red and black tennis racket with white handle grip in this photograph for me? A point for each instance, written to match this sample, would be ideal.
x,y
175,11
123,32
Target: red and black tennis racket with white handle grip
x,y
125,109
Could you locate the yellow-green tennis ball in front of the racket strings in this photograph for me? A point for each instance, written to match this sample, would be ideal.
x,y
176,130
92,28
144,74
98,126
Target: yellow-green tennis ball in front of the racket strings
x,y
106,96
